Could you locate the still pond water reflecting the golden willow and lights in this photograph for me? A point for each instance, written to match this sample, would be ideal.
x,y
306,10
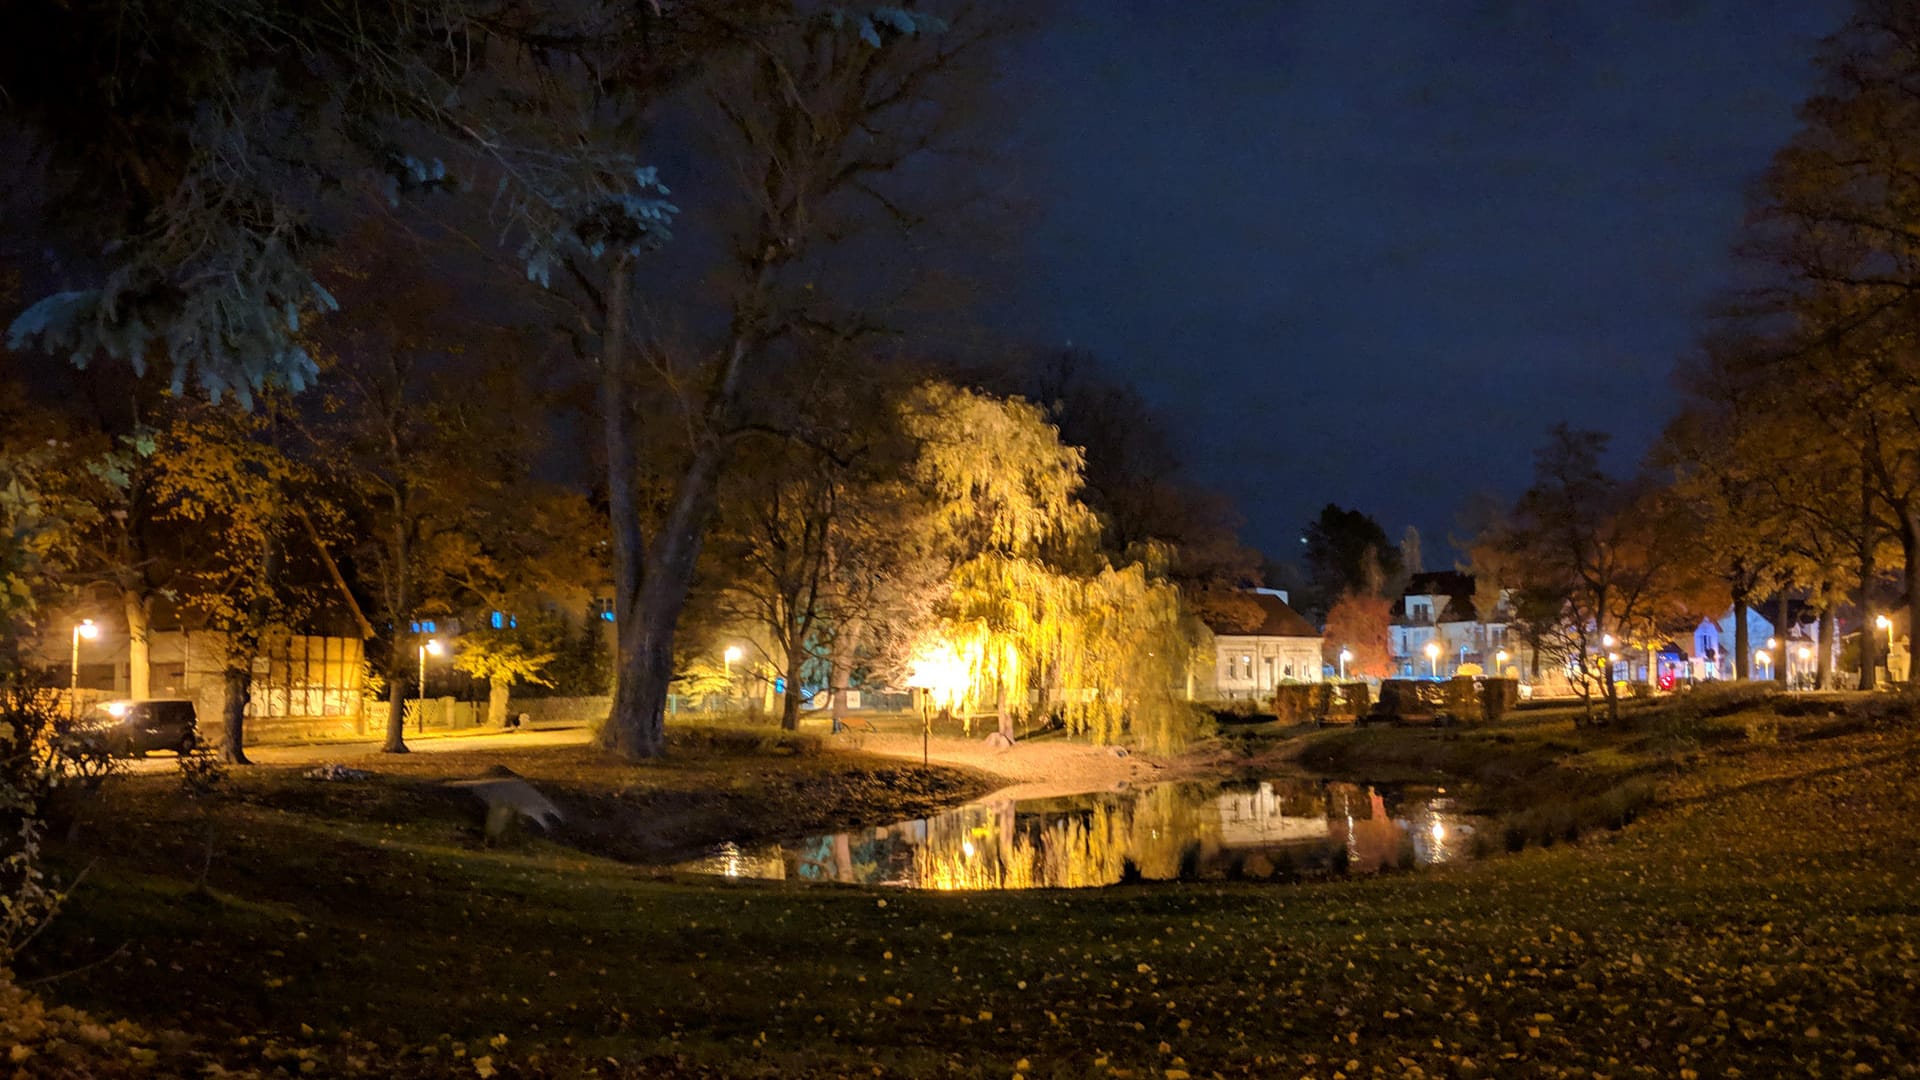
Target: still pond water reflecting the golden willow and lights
x,y
1284,829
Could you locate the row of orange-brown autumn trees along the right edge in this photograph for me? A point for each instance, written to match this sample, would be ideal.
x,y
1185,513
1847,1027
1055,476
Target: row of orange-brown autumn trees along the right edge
x,y
1792,476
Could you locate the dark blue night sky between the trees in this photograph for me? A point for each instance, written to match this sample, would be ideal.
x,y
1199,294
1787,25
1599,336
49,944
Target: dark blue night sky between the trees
x,y
1368,253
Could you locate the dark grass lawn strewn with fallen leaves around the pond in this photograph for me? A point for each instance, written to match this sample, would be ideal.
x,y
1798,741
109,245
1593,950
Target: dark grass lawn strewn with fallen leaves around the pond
x,y
1762,921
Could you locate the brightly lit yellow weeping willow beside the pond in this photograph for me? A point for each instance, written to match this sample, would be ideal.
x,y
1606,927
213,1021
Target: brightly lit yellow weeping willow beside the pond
x,y
1038,618
